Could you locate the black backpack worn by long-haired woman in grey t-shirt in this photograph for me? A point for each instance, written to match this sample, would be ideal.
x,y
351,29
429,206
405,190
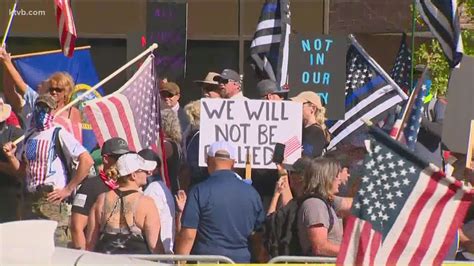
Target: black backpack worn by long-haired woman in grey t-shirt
x,y
281,228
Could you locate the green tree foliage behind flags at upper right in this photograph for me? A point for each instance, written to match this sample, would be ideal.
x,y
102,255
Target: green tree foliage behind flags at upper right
x,y
432,51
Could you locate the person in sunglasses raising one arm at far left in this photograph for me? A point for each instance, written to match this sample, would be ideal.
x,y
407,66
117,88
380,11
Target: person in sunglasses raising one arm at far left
x,y
60,85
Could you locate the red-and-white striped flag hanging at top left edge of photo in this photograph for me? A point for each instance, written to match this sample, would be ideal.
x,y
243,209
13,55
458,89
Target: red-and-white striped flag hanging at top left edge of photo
x,y
67,29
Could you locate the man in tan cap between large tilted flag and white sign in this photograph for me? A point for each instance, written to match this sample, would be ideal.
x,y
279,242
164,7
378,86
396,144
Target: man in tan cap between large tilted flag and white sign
x,y
170,94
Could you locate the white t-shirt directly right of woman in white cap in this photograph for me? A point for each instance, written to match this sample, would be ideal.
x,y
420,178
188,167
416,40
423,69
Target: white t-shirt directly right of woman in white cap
x,y
164,201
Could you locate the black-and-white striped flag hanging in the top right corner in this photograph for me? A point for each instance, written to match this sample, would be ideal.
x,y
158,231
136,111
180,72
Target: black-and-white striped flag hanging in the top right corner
x,y
442,17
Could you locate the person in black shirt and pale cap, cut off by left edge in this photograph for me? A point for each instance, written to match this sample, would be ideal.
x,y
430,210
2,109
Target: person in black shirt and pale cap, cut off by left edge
x,y
9,184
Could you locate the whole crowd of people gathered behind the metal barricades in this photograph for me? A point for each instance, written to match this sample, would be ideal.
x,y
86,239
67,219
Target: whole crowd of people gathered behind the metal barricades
x,y
118,202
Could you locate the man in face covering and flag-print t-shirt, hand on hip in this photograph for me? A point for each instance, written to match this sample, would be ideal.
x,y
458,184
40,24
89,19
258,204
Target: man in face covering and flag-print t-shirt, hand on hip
x,y
48,179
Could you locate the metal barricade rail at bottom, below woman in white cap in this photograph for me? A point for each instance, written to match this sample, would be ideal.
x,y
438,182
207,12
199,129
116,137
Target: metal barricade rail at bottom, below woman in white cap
x,y
168,258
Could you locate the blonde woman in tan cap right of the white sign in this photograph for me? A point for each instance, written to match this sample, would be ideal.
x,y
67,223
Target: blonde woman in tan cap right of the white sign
x,y
316,137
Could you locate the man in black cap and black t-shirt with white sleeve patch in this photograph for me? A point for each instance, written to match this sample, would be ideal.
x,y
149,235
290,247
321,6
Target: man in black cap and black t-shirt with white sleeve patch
x,y
92,187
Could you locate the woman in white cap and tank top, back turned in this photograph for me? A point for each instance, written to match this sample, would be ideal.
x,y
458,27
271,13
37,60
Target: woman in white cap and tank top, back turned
x,y
124,221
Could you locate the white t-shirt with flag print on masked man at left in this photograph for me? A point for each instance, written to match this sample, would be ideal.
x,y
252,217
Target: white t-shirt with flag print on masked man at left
x,y
43,164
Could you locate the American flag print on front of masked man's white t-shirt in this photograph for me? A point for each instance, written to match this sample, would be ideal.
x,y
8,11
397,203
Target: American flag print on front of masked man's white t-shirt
x,y
37,155
